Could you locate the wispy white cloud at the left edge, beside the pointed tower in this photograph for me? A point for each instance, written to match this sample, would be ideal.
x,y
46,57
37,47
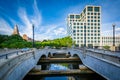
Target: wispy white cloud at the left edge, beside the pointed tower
x,y
5,28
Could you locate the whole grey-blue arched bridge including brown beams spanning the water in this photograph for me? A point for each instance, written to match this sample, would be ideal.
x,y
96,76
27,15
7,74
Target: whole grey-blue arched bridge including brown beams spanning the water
x,y
16,65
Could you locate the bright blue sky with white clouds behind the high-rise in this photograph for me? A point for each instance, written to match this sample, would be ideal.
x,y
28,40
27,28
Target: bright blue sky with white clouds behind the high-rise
x,y
49,16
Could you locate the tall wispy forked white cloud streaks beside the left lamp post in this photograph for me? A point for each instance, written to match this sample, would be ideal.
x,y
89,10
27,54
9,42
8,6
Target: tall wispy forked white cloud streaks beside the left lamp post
x,y
28,20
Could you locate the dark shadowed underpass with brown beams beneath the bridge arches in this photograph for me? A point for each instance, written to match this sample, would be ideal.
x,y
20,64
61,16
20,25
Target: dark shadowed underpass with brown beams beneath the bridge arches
x,y
78,70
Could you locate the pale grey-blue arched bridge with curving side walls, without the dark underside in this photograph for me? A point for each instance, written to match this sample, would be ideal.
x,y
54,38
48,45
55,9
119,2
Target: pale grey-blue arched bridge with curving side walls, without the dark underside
x,y
15,65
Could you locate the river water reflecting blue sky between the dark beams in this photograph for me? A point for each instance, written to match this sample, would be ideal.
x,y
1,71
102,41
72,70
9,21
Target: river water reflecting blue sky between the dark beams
x,y
57,67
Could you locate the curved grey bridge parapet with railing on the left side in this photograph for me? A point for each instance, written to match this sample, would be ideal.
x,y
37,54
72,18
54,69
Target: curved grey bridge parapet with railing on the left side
x,y
12,62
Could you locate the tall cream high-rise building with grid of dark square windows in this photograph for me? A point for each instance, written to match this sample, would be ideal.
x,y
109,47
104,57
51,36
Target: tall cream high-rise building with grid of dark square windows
x,y
84,28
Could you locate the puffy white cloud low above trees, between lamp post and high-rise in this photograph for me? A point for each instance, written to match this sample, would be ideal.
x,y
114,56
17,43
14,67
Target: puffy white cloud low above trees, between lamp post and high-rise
x,y
50,32
